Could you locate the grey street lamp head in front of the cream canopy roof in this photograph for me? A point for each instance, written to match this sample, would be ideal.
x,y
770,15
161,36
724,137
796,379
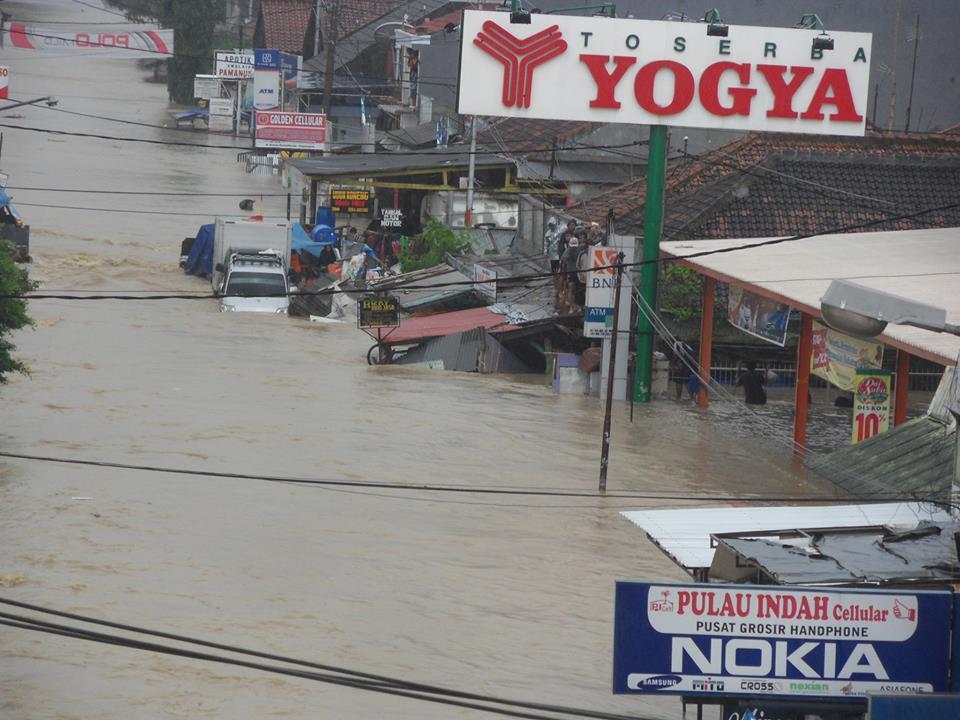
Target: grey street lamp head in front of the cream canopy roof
x,y
858,310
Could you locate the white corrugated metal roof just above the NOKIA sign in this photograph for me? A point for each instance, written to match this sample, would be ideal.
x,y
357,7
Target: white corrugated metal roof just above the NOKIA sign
x,y
684,534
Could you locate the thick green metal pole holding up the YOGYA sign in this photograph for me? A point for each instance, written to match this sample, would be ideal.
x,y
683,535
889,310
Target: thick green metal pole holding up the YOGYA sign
x,y
652,222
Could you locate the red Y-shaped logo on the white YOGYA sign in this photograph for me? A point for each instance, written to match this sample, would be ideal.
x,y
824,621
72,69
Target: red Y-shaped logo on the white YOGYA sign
x,y
519,57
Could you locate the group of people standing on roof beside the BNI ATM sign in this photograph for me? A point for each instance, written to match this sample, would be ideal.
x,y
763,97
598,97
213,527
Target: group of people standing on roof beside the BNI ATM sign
x,y
567,250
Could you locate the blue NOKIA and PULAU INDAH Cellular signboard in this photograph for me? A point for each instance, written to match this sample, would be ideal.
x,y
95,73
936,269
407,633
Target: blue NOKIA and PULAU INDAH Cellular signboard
x,y
755,640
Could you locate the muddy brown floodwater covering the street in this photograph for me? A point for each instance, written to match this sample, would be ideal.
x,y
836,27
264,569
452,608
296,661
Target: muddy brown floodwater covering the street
x,y
489,593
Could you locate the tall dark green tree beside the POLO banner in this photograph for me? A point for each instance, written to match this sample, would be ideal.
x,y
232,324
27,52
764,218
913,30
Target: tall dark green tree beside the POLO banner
x,y
193,23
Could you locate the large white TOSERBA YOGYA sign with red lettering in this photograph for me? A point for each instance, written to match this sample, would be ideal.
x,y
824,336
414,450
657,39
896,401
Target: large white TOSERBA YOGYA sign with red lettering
x,y
663,73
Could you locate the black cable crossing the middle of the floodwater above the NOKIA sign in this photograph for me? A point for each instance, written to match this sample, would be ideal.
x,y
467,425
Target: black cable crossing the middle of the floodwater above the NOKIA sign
x,y
448,488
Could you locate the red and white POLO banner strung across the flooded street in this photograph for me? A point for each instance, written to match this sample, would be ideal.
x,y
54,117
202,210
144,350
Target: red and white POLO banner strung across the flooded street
x,y
130,44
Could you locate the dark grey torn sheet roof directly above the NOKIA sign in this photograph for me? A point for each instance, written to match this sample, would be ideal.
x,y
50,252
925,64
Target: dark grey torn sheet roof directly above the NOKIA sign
x,y
925,554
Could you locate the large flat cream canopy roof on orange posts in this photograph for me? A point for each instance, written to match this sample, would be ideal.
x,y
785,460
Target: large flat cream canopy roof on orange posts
x,y
922,265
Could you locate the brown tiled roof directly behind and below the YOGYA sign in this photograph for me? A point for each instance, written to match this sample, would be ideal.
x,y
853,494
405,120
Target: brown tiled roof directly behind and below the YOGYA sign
x,y
766,185
